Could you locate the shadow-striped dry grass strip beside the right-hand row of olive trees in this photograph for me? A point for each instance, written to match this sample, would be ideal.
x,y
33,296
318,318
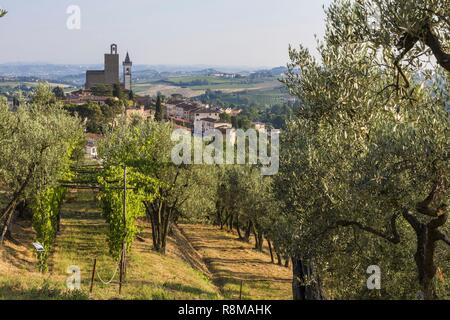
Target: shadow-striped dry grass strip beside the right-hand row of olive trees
x,y
231,261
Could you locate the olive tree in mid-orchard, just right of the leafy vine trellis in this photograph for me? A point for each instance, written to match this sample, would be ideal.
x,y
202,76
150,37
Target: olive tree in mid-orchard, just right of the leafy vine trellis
x,y
168,191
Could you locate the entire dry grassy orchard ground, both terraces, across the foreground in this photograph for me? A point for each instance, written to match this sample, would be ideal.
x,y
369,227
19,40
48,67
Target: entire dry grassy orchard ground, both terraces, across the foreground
x,y
150,275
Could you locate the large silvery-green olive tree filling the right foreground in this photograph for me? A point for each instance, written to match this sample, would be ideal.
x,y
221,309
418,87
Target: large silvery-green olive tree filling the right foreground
x,y
361,160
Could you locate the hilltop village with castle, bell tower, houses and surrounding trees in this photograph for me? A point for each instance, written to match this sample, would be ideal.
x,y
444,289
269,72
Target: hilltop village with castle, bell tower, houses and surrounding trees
x,y
108,95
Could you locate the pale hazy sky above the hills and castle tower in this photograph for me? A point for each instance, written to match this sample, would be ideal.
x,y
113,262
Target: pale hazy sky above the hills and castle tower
x,y
176,32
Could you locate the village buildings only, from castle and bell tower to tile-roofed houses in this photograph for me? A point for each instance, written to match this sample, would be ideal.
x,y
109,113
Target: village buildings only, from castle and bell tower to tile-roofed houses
x,y
106,88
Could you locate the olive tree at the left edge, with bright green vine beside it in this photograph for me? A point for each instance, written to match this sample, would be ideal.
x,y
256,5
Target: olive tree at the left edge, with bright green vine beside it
x,y
38,143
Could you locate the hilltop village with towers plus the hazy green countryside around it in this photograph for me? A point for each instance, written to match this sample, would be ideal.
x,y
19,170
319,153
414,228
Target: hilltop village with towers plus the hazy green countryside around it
x,y
108,94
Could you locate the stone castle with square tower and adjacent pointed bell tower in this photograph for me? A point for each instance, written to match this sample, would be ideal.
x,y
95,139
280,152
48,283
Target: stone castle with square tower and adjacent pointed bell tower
x,y
110,75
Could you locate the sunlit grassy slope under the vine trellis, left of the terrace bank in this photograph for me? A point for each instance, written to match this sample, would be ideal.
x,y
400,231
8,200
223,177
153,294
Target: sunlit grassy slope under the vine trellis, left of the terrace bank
x,y
82,238
